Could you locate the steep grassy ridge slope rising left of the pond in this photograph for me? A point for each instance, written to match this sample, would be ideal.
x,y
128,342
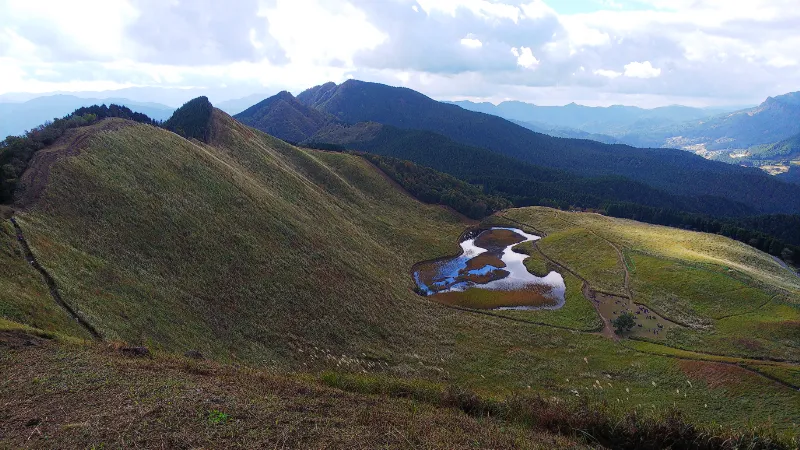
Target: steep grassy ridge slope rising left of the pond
x,y
233,247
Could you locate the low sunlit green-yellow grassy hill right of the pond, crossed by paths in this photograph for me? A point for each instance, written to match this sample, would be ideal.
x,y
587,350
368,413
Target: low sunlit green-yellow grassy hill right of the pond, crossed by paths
x,y
728,297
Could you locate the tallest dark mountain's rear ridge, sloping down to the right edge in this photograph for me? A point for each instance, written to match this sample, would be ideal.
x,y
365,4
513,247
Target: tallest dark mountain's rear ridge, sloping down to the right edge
x,y
674,171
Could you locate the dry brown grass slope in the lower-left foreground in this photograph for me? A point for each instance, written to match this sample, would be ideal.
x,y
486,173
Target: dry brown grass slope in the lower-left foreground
x,y
57,396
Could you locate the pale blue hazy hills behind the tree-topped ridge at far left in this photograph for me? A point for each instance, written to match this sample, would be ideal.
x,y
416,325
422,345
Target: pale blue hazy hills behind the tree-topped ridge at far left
x,y
16,118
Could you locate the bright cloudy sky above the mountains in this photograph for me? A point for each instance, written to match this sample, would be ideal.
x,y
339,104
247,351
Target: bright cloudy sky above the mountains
x,y
595,52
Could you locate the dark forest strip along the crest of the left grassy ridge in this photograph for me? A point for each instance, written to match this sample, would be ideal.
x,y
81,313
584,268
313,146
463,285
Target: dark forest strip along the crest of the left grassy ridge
x,y
16,152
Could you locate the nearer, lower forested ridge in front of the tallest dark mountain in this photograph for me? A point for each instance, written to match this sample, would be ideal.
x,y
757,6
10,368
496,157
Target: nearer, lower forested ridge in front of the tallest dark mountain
x,y
523,183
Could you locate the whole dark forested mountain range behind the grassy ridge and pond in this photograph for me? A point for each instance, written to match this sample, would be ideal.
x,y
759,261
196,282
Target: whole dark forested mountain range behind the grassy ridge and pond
x,y
406,124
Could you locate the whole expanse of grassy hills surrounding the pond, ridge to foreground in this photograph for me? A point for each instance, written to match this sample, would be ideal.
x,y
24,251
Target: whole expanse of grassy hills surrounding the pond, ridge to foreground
x,y
278,261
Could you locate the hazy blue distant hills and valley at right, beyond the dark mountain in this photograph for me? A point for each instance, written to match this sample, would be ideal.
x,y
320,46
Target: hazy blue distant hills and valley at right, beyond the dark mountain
x,y
702,130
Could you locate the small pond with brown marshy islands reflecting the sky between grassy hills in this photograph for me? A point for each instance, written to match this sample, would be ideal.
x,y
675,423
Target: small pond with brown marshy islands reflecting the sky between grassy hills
x,y
489,274
